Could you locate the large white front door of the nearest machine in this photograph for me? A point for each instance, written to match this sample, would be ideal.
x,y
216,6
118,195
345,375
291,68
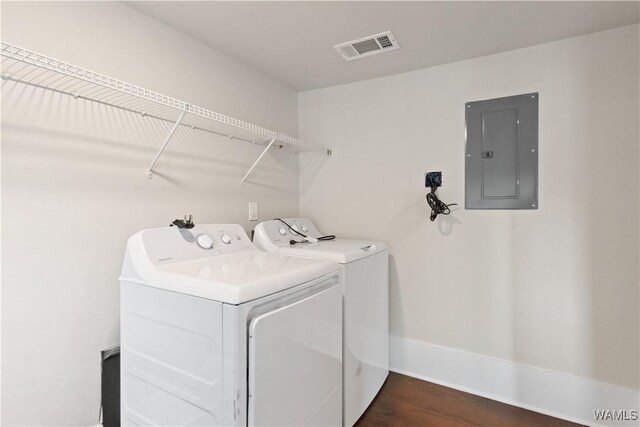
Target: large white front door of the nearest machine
x,y
295,363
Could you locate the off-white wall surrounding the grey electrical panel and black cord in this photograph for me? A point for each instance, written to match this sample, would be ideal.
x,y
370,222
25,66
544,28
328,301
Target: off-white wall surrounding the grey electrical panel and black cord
x,y
555,288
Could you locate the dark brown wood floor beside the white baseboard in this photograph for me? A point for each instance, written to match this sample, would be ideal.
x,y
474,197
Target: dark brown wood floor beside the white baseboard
x,y
406,401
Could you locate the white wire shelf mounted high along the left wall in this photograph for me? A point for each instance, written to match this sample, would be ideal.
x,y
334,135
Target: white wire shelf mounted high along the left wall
x,y
31,68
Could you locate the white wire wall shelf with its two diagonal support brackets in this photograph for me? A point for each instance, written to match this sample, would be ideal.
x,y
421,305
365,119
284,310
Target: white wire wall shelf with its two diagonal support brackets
x,y
125,96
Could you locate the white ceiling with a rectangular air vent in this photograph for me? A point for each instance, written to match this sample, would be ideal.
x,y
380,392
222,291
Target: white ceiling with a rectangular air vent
x,y
293,41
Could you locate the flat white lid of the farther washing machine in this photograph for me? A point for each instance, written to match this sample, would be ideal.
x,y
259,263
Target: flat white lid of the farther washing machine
x,y
339,250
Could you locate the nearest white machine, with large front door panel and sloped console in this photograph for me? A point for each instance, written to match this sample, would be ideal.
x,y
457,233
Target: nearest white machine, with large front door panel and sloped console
x,y
215,332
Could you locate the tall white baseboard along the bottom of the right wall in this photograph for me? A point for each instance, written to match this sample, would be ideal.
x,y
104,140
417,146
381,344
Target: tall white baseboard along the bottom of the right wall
x,y
553,393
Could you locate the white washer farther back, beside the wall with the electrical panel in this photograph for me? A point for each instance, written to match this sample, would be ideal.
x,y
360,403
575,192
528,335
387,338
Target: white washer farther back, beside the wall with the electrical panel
x,y
366,302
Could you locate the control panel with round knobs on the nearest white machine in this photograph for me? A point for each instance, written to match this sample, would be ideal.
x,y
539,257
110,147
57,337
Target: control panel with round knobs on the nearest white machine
x,y
173,244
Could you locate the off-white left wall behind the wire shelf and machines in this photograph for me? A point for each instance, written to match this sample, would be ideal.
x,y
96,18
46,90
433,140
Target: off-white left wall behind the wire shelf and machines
x,y
74,189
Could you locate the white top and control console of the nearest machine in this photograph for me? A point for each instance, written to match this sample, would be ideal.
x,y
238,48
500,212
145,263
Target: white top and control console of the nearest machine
x,y
233,278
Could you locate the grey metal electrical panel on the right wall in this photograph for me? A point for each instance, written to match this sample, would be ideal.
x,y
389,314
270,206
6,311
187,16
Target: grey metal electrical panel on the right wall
x,y
501,156
